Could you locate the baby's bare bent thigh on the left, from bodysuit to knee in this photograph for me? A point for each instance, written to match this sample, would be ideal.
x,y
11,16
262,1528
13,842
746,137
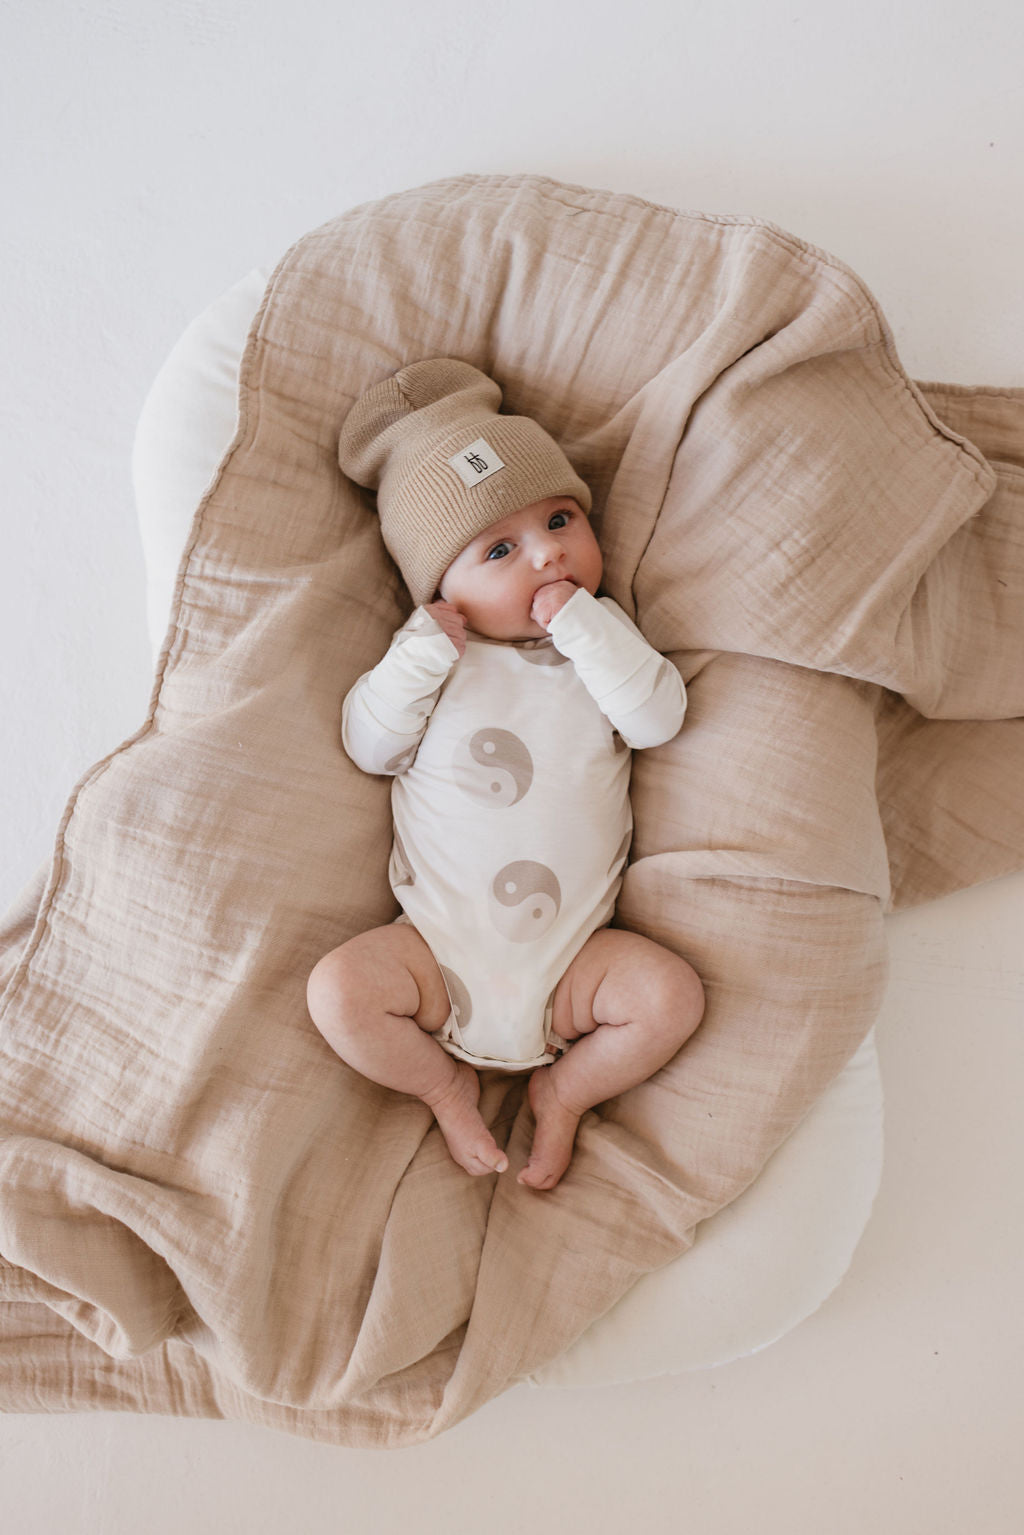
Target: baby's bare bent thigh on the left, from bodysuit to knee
x,y
386,969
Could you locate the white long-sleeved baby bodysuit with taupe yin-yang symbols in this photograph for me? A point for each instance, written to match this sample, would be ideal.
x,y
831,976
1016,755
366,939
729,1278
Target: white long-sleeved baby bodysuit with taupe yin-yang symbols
x,y
510,804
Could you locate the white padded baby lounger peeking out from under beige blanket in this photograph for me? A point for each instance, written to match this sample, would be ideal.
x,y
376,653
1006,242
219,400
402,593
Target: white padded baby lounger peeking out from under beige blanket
x,y
776,1253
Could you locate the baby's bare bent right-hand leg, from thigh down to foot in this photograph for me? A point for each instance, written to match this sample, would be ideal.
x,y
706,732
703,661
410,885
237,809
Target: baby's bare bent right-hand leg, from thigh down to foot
x,y
629,1005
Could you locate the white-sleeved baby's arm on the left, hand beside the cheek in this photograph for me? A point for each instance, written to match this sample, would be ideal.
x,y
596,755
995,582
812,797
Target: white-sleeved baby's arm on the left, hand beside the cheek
x,y
386,713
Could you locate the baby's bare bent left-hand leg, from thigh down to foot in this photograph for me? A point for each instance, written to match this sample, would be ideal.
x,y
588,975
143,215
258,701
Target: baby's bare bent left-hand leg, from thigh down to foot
x,y
377,1002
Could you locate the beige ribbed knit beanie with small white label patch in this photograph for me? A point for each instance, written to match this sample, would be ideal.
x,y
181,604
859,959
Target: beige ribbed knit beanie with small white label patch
x,y
446,464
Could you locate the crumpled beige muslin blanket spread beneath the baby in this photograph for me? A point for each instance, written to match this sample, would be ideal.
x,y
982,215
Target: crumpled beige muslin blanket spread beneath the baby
x,y
203,1212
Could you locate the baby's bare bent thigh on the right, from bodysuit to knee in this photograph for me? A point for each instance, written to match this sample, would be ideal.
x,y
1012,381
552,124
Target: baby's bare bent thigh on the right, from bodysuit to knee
x,y
619,979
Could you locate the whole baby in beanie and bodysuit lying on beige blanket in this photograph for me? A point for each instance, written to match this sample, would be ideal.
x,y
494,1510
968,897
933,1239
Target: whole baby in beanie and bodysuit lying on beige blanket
x,y
504,710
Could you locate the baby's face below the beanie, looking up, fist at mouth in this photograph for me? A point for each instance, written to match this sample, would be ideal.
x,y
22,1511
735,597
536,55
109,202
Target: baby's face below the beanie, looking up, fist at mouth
x,y
495,578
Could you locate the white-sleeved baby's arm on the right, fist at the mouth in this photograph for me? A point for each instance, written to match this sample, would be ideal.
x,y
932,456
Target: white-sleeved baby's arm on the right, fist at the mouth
x,y
639,692
